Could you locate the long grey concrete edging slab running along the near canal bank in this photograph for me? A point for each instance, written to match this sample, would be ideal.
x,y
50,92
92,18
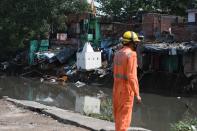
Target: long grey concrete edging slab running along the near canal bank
x,y
69,116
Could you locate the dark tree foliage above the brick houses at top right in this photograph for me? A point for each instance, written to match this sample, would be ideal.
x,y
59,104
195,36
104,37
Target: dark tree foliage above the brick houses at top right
x,y
128,8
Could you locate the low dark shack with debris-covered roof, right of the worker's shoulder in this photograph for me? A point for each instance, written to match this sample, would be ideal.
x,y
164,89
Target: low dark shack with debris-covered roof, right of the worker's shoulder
x,y
172,58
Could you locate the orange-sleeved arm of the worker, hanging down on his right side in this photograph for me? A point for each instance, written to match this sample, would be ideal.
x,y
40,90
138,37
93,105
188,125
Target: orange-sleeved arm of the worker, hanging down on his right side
x,y
132,74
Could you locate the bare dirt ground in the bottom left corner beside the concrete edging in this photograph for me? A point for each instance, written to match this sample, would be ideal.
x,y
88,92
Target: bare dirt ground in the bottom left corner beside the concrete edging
x,y
14,118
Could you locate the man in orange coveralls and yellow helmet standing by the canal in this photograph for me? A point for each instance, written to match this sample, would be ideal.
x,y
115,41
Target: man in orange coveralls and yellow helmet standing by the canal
x,y
125,81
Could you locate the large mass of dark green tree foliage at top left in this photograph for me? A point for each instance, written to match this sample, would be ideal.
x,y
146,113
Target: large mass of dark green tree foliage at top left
x,y
25,19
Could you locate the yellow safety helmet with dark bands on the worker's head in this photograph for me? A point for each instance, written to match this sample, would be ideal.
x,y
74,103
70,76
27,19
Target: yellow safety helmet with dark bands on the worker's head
x,y
130,36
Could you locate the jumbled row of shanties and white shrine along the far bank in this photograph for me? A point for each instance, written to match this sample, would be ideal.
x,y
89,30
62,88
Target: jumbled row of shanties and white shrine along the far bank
x,y
89,43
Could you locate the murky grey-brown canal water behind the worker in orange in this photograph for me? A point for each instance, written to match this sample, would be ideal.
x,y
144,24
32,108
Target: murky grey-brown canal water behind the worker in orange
x,y
156,112
